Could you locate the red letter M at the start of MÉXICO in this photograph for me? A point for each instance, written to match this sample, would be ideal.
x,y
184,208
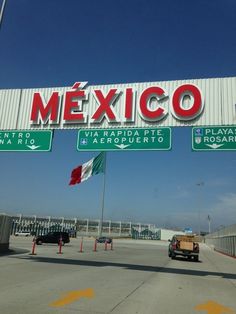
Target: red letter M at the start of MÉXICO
x,y
43,112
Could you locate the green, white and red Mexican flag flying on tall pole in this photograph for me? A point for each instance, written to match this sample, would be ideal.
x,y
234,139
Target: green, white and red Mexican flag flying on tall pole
x,y
88,169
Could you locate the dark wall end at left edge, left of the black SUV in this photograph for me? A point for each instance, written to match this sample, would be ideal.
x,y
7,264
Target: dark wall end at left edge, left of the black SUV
x,y
5,231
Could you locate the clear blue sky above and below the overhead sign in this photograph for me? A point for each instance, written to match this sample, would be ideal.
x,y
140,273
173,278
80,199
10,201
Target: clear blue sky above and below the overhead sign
x,y
51,43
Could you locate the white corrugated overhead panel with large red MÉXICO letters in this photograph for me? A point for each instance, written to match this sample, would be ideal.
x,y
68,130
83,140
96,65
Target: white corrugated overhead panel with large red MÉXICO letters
x,y
136,105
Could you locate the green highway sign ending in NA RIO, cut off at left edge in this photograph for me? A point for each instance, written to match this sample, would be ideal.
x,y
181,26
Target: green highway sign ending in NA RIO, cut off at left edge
x,y
22,141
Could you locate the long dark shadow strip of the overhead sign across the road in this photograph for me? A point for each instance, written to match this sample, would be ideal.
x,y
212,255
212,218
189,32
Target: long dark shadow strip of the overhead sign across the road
x,y
200,273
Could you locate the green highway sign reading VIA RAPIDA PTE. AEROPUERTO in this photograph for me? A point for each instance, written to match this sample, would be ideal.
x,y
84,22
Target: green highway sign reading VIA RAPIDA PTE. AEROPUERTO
x,y
124,139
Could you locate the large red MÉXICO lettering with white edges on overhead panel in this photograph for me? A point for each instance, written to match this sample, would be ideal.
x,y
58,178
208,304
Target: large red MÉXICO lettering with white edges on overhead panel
x,y
148,105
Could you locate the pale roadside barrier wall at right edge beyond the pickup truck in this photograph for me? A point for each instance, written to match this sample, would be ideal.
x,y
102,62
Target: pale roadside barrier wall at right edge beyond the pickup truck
x,y
223,240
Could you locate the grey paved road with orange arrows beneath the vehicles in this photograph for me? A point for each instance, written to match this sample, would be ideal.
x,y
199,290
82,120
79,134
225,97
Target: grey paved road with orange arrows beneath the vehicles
x,y
134,277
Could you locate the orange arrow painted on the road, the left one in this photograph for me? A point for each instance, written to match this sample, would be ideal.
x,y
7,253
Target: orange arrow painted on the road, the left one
x,y
73,296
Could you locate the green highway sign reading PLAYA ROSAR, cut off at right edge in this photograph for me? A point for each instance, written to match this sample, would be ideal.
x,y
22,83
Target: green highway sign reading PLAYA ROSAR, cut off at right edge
x,y
214,138
